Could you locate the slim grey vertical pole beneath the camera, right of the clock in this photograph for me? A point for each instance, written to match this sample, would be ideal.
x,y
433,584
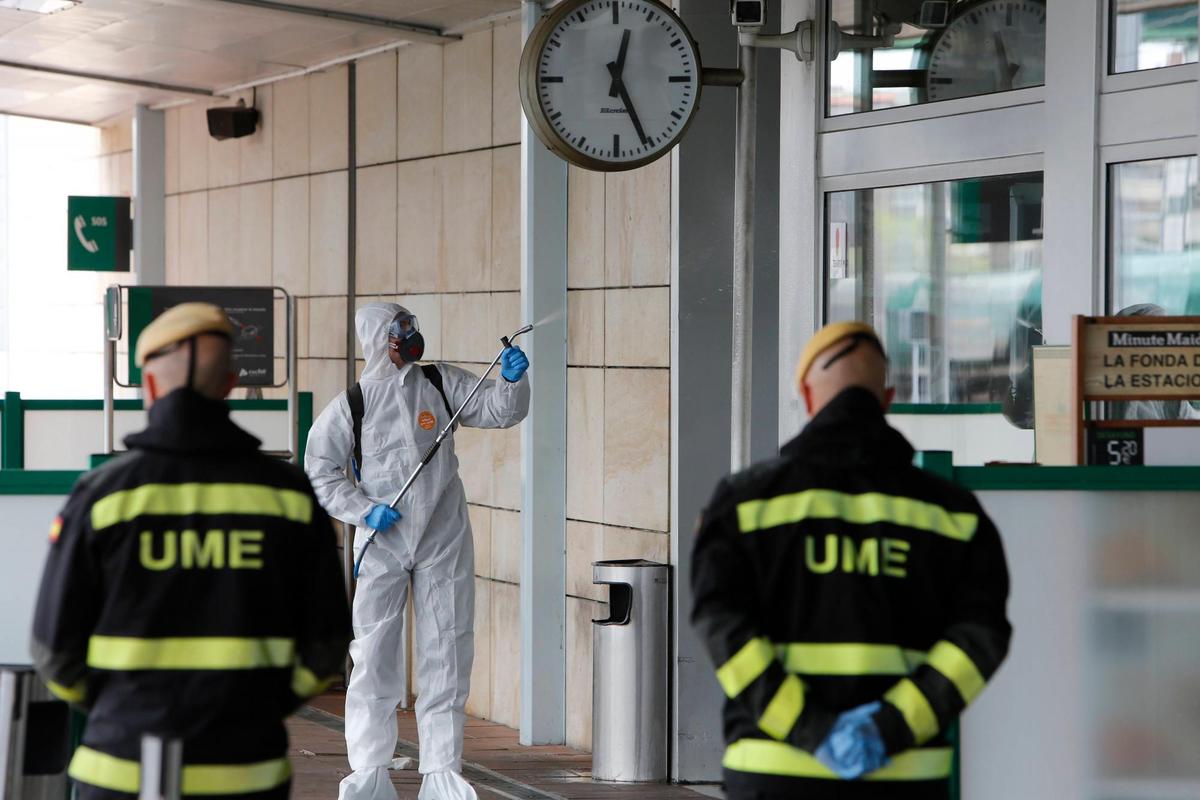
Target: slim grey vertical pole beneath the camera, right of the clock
x,y
745,166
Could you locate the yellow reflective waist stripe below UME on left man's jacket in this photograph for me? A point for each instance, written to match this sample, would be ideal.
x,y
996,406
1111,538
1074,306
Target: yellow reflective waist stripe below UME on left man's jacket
x,y
189,653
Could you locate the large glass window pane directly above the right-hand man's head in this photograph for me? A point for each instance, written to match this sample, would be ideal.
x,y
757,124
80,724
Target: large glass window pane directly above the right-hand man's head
x,y
951,276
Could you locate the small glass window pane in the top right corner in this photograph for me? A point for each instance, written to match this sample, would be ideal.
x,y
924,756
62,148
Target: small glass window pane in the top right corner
x,y
1153,34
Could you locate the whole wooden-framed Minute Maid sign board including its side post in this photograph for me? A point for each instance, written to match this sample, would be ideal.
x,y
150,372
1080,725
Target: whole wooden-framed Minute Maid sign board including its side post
x,y
1133,359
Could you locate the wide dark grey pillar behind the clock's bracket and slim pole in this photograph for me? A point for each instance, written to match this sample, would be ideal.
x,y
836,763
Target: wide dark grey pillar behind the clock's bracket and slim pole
x,y
703,216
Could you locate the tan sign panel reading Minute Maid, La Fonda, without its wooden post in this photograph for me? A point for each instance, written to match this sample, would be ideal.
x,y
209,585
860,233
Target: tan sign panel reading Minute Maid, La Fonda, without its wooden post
x,y
1151,359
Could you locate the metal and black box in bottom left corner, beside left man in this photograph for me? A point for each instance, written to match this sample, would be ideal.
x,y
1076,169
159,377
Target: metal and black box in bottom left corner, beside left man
x,y
35,735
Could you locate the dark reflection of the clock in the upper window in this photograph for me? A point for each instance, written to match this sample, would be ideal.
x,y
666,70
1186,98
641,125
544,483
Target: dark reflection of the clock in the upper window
x,y
988,47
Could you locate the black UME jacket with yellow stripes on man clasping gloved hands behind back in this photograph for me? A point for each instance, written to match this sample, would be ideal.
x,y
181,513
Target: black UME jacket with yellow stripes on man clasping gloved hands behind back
x,y
839,575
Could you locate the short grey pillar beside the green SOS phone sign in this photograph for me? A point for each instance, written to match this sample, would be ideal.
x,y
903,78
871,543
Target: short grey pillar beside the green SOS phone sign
x,y
151,196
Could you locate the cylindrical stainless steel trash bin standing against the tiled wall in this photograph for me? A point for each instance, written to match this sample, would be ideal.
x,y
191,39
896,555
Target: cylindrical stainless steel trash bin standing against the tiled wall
x,y
631,672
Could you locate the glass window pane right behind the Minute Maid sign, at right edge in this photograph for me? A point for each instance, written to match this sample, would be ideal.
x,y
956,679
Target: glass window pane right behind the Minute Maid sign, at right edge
x,y
1155,234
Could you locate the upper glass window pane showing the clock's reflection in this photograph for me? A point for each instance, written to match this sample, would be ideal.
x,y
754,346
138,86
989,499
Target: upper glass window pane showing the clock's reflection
x,y
887,53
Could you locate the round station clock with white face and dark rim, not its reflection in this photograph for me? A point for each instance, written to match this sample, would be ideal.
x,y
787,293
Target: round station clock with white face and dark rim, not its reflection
x,y
610,85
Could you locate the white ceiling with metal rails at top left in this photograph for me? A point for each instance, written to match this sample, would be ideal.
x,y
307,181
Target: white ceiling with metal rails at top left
x,y
205,45
